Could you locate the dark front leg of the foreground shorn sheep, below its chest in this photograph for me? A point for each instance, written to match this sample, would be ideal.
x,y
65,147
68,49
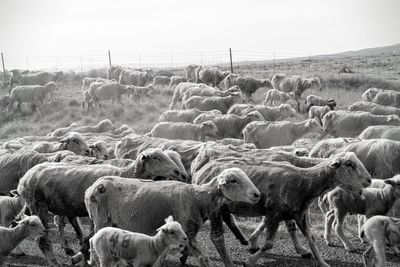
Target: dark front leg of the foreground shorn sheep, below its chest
x,y
217,237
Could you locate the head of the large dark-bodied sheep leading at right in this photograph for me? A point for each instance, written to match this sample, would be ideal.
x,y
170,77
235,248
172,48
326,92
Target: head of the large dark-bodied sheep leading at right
x,y
350,172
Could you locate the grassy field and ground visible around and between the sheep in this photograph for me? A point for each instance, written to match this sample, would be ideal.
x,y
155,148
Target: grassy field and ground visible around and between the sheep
x,y
143,114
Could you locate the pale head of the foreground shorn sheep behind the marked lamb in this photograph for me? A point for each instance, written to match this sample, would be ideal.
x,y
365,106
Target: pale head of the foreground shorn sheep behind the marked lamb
x,y
237,186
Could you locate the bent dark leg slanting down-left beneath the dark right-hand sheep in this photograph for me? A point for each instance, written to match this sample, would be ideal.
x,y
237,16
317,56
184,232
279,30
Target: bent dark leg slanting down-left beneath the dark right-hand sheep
x,y
271,225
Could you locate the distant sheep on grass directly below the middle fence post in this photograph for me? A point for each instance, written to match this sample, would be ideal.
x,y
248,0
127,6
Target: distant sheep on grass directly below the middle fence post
x,y
107,91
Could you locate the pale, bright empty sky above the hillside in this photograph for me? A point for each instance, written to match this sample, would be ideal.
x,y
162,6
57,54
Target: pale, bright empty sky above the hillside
x,y
53,28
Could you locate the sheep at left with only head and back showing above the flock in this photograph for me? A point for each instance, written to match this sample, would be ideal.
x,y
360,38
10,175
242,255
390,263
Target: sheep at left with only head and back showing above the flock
x,y
72,142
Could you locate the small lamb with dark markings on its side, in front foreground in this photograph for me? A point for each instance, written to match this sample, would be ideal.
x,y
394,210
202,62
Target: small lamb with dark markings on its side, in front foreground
x,y
112,244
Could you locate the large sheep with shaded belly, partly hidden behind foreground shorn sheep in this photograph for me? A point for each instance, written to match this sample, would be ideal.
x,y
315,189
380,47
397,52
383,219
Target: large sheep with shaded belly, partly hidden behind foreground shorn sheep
x,y
60,187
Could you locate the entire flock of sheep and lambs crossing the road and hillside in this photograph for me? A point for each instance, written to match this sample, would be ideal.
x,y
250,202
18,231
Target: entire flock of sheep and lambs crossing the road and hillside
x,y
218,157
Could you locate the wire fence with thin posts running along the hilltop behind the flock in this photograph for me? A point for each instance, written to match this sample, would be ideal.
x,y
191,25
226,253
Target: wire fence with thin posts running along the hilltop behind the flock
x,y
386,66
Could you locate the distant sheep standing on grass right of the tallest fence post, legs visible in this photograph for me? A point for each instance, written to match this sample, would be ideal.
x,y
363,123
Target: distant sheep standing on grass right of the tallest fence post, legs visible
x,y
295,84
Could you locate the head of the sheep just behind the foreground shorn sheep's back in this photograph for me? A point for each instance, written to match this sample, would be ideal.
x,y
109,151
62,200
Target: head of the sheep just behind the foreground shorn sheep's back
x,y
159,166
